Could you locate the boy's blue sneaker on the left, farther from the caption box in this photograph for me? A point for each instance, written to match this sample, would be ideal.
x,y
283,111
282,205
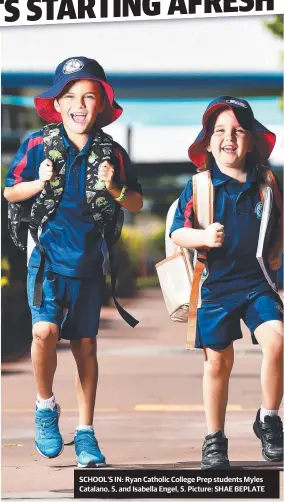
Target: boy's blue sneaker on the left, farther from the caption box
x,y
48,440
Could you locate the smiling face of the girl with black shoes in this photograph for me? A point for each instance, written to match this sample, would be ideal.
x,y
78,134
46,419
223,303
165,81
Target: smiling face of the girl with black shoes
x,y
229,142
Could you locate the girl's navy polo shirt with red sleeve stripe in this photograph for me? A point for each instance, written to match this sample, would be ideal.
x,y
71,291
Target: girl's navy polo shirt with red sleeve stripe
x,y
233,268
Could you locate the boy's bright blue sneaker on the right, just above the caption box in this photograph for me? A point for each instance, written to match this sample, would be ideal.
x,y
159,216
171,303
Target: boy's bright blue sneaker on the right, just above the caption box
x,y
88,453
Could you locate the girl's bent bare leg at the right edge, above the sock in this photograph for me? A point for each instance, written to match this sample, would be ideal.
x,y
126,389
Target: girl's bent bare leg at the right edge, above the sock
x,y
270,337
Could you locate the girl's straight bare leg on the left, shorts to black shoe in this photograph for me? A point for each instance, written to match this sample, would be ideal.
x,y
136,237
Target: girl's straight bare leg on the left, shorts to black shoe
x,y
217,369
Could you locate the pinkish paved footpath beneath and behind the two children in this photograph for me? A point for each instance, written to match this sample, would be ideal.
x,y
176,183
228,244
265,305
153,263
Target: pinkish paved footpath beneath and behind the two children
x,y
149,409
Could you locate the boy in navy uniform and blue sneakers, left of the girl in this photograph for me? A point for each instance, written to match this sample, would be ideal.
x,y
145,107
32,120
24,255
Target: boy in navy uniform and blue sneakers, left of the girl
x,y
81,100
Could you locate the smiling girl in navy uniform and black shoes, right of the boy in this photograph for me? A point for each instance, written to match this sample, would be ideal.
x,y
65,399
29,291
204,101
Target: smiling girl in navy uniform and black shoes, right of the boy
x,y
233,146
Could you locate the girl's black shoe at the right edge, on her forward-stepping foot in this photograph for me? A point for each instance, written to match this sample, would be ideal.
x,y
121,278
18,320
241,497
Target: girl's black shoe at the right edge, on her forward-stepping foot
x,y
270,432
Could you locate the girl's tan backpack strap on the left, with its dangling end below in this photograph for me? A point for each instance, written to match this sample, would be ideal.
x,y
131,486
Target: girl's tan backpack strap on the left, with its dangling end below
x,y
203,207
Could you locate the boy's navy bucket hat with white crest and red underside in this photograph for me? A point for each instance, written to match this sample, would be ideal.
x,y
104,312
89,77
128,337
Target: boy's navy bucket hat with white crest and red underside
x,y
72,69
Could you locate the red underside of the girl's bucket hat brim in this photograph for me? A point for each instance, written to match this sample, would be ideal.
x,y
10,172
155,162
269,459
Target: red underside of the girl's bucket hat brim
x,y
265,139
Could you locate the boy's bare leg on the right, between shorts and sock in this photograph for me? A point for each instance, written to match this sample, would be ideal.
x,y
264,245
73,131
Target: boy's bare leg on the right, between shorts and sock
x,y
85,355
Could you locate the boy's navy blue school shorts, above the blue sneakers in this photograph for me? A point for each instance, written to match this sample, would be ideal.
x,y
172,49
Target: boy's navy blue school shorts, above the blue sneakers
x,y
81,296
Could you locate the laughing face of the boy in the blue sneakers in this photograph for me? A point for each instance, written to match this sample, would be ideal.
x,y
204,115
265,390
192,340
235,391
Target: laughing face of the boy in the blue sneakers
x,y
79,106
